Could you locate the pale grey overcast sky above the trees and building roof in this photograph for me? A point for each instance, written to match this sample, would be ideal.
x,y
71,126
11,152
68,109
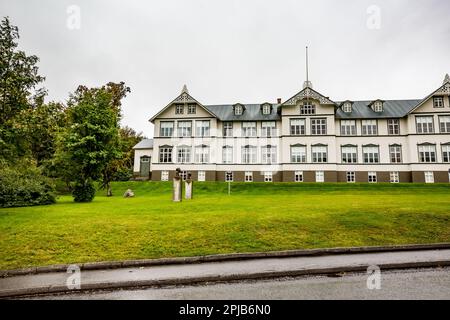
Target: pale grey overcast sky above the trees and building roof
x,y
227,51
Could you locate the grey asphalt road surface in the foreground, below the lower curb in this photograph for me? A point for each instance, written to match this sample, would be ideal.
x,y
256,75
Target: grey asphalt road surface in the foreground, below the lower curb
x,y
400,284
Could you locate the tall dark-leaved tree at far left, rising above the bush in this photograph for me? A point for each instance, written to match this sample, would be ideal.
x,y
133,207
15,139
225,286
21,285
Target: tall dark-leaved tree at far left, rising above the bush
x,y
18,80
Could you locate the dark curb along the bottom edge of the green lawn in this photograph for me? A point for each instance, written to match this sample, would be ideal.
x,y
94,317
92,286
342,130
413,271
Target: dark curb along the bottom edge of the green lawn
x,y
222,257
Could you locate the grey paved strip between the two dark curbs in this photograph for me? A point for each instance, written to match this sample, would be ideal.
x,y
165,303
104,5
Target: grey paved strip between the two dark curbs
x,y
213,270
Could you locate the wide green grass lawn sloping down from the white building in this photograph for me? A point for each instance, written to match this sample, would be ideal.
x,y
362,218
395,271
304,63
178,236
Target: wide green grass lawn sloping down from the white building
x,y
256,217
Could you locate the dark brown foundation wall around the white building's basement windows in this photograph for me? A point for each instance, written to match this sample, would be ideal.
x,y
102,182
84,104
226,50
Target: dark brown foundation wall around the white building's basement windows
x,y
310,176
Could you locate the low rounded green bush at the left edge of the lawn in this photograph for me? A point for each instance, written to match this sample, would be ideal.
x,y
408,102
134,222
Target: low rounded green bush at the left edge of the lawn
x,y
24,186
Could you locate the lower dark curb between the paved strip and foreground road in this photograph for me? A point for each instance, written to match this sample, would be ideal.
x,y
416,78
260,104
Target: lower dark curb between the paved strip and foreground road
x,y
218,278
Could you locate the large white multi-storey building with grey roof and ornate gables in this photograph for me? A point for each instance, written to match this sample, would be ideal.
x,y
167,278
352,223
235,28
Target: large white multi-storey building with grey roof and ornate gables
x,y
307,138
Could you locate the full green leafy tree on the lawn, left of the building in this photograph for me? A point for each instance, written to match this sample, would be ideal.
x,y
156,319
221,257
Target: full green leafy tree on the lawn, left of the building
x,y
90,142
